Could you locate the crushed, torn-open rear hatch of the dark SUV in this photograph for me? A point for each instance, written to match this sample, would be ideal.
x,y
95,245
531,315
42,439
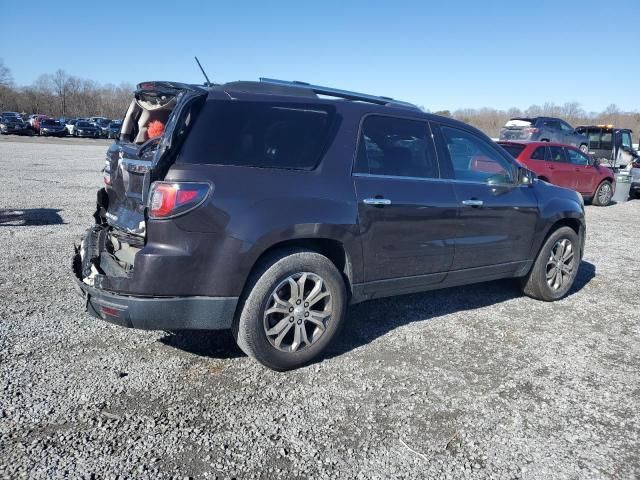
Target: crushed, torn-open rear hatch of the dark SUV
x,y
139,157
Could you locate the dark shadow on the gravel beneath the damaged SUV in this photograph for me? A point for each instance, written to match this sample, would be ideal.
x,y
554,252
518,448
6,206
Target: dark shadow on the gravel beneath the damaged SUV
x,y
369,320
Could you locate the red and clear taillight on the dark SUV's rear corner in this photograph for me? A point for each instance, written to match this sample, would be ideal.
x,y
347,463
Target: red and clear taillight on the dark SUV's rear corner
x,y
170,199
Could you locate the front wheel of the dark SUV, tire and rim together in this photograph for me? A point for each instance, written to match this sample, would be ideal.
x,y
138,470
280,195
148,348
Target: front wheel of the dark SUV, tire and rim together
x,y
555,268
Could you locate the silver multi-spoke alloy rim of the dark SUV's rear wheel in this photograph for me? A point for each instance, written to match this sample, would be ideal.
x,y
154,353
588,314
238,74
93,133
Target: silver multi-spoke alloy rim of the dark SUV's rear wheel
x,y
298,312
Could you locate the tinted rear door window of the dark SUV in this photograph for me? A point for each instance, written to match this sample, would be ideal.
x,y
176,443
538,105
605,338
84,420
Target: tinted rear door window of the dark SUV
x,y
397,147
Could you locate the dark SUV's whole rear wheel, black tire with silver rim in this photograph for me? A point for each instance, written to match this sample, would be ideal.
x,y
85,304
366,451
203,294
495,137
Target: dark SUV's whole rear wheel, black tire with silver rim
x,y
293,307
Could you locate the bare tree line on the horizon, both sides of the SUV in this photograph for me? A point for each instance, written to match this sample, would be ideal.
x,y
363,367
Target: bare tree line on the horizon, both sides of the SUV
x,y
63,95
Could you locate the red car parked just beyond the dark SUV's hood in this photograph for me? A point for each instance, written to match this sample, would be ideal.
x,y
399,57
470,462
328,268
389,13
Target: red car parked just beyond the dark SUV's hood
x,y
567,167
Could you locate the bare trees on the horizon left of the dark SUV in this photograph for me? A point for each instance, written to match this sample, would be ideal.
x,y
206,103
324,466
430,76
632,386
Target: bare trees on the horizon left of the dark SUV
x,y
62,95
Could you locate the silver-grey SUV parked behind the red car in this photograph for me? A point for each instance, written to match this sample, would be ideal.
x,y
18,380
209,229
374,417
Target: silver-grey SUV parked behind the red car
x,y
544,129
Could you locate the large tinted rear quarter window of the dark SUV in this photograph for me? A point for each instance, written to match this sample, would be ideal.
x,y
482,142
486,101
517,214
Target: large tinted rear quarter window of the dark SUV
x,y
260,134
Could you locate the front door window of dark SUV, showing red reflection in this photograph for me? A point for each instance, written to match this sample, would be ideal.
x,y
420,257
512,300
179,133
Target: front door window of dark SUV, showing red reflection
x,y
474,159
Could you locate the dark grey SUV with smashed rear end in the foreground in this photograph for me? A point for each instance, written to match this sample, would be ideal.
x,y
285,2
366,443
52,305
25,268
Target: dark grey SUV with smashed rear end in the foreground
x,y
267,207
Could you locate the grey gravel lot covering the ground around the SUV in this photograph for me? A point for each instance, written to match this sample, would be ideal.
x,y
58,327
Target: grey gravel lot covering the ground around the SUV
x,y
476,382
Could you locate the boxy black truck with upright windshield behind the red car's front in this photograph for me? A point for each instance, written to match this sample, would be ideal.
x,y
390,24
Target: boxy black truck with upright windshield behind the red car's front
x,y
611,145
